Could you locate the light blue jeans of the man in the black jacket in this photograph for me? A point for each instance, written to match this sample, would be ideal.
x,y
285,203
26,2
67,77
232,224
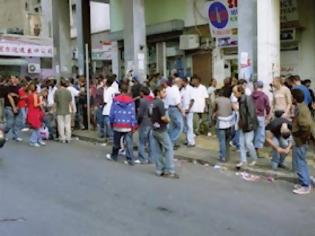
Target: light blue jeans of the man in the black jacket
x,y
247,144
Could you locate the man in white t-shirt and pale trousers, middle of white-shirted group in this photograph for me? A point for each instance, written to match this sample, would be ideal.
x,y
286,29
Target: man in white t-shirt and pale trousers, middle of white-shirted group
x,y
187,104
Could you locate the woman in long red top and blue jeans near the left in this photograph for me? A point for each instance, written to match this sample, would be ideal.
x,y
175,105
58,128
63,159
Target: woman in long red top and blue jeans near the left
x,y
35,116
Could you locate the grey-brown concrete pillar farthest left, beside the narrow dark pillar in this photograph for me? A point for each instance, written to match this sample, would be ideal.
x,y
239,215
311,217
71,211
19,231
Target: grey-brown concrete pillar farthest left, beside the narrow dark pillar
x,y
62,40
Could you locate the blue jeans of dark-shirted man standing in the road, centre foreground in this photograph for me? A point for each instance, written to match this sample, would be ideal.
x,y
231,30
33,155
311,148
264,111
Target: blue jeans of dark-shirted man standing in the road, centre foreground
x,y
162,151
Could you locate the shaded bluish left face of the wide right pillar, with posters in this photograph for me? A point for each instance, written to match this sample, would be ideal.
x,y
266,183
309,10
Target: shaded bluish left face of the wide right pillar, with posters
x,y
247,39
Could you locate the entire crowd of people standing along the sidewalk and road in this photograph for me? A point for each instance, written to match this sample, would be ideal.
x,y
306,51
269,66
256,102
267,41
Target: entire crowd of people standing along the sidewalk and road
x,y
161,110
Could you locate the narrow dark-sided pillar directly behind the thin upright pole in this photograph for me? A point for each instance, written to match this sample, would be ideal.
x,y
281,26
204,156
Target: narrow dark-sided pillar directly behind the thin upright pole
x,y
83,26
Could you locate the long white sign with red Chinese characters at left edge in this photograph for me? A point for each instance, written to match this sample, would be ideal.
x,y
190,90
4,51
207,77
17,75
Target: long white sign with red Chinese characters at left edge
x,y
22,46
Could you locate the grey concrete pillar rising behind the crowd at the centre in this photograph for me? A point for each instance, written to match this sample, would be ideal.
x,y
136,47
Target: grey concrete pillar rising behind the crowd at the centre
x,y
135,38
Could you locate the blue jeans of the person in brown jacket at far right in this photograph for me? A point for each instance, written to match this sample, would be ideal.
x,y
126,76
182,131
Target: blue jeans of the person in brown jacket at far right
x,y
299,158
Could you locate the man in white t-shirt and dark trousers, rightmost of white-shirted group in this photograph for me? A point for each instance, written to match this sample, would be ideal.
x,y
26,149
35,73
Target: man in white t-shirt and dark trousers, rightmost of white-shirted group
x,y
200,95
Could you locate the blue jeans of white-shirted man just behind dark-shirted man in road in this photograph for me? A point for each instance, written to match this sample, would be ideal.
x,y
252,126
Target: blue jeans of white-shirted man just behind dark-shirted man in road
x,y
176,125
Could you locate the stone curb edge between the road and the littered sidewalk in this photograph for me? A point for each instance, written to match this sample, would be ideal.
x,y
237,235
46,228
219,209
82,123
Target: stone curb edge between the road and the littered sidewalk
x,y
290,177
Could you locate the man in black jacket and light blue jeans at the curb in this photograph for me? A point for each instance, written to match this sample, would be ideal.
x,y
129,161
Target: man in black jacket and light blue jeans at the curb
x,y
247,125
